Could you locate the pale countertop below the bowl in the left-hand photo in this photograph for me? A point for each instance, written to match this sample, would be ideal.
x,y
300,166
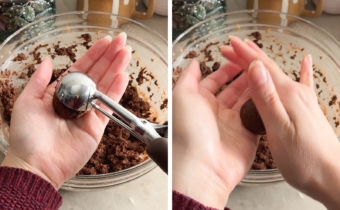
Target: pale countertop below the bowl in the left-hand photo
x,y
146,192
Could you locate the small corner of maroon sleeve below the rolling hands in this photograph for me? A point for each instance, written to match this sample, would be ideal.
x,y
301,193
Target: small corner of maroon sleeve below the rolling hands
x,y
183,202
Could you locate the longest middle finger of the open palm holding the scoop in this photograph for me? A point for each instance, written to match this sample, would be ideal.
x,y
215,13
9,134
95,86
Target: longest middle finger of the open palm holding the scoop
x,y
99,69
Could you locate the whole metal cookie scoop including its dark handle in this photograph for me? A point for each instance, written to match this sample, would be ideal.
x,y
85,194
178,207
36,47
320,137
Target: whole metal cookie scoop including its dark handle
x,y
78,92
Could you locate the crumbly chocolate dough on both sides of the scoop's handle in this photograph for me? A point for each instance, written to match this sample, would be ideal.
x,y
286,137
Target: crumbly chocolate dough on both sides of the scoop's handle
x,y
118,149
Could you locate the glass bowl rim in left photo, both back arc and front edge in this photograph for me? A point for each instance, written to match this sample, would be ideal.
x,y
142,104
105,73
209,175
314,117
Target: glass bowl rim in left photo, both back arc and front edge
x,y
4,145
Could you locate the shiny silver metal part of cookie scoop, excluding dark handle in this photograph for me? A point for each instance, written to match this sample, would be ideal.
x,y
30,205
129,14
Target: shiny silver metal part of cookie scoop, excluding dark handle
x,y
78,92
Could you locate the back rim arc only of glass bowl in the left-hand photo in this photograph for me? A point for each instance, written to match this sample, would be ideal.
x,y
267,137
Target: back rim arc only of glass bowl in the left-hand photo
x,y
79,13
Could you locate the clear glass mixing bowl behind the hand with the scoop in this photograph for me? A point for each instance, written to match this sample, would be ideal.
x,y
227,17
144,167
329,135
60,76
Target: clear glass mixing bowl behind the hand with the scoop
x,y
149,50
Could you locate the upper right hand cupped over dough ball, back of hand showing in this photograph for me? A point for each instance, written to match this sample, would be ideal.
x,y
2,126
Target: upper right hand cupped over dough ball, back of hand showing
x,y
301,140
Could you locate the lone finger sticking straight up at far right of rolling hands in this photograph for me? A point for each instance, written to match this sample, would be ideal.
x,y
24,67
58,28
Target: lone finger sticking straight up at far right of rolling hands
x,y
306,72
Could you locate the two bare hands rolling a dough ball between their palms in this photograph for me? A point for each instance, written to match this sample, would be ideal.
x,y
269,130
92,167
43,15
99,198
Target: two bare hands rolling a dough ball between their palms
x,y
212,151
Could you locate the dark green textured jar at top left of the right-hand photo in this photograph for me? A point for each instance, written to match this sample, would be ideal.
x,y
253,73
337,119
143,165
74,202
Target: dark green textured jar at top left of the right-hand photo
x,y
186,13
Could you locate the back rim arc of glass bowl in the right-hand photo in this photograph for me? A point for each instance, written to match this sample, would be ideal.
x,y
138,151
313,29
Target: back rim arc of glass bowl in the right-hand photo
x,y
319,28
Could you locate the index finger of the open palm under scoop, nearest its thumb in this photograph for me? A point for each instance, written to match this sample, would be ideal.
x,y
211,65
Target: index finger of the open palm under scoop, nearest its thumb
x,y
86,61
